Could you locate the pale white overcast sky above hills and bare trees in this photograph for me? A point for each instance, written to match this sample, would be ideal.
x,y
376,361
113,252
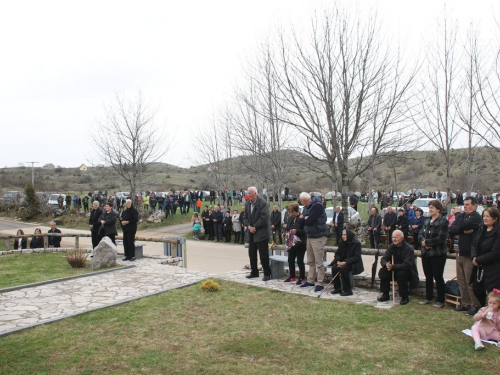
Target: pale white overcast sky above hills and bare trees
x,y
61,60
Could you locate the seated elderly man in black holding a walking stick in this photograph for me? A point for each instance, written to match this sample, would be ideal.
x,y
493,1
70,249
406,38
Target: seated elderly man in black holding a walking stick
x,y
400,259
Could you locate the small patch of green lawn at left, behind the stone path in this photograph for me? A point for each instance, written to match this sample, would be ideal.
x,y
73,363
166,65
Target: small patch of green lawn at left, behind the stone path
x,y
19,269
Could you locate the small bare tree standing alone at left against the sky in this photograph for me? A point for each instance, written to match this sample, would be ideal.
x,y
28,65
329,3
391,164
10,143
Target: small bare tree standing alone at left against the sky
x,y
130,141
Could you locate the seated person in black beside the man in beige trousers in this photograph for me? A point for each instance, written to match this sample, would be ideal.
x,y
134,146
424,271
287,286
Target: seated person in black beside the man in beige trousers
x,y
347,259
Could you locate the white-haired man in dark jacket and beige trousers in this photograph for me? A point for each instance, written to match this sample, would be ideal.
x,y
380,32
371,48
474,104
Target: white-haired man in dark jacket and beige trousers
x,y
316,231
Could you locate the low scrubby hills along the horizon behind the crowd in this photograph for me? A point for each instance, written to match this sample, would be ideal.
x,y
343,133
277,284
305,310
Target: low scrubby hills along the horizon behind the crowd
x,y
419,169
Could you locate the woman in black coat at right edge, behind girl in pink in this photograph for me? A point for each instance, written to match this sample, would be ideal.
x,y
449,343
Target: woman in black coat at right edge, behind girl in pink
x,y
485,254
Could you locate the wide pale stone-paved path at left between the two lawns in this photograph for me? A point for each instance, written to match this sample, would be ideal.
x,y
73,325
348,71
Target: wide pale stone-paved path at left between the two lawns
x,y
31,306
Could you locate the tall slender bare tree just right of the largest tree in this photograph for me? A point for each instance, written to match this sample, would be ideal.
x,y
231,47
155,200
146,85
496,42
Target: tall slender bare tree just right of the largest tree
x,y
437,109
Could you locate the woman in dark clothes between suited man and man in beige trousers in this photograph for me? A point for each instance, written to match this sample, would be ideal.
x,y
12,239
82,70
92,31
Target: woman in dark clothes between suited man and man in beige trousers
x,y
295,226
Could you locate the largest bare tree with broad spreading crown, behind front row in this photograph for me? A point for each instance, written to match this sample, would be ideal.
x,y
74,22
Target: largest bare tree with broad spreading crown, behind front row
x,y
344,92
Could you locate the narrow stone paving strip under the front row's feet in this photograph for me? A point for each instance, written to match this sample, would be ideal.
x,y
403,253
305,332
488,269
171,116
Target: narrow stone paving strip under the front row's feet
x,y
360,295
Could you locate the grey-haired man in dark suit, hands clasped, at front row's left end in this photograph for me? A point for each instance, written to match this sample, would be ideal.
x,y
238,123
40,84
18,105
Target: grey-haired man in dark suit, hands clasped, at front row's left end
x,y
256,220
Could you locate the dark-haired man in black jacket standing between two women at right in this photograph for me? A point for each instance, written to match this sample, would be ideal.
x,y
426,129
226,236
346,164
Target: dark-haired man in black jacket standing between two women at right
x,y
463,231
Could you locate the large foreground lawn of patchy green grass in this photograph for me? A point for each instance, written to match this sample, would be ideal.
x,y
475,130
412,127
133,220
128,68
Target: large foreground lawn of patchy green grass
x,y
248,330
